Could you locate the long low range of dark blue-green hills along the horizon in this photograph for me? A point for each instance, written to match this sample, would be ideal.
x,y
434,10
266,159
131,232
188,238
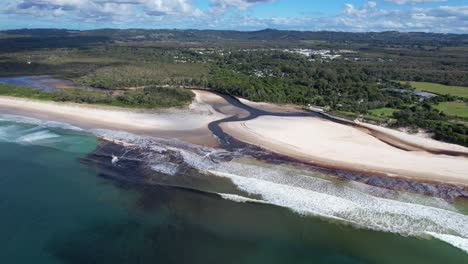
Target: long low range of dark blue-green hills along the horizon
x,y
54,38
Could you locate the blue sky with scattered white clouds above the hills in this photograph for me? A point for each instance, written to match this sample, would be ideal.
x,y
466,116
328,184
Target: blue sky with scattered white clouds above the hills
x,y
443,16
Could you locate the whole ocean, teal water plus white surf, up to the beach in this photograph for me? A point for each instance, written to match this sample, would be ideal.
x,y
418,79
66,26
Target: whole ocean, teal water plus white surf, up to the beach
x,y
63,201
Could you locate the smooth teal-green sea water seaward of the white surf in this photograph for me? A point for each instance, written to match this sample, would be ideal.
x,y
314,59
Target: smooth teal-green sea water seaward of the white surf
x,y
57,210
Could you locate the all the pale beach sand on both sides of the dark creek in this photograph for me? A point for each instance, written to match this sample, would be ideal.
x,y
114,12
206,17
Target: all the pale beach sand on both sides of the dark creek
x,y
354,146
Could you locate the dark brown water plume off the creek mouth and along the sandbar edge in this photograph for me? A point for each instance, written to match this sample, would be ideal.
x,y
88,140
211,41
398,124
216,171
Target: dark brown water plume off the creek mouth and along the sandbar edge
x,y
135,166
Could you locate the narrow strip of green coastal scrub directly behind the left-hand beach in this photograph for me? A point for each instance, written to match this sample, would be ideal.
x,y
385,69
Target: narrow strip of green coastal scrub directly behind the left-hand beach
x,y
151,97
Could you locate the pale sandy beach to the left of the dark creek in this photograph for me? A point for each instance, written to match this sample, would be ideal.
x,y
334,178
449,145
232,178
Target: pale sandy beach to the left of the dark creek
x,y
189,124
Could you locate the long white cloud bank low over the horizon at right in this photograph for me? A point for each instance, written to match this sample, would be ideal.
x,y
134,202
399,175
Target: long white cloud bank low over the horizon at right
x,y
369,17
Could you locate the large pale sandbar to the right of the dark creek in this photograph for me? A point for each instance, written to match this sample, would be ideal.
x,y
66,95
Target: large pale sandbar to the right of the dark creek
x,y
330,144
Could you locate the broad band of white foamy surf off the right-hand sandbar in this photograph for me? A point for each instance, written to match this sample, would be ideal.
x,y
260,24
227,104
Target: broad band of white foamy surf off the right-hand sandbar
x,y
358,208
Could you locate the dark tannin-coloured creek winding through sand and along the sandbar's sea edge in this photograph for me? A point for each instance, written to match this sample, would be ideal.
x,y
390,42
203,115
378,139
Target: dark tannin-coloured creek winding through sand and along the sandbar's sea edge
x,y
227,142
